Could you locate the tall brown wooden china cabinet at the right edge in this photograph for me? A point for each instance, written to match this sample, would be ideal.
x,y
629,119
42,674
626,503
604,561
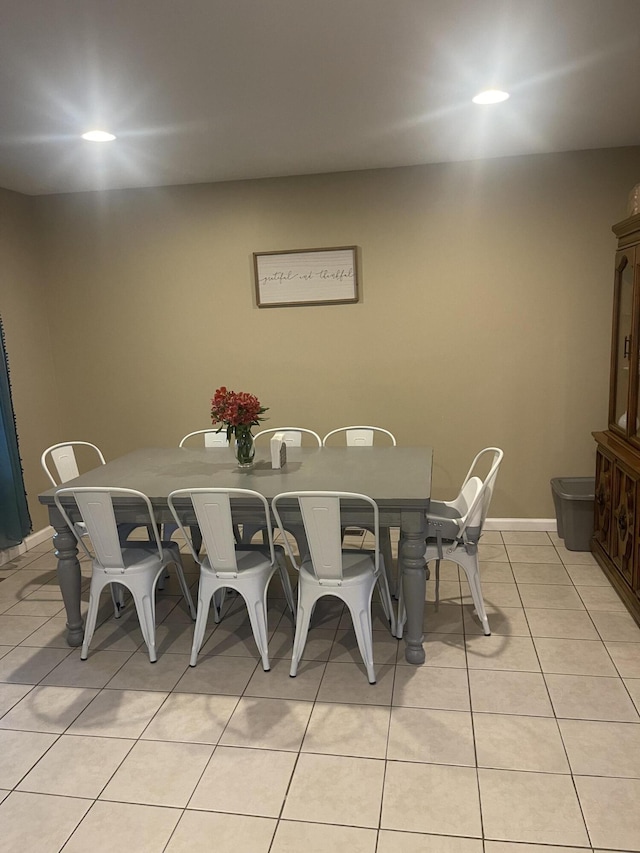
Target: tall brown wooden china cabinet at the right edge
x,y
616,539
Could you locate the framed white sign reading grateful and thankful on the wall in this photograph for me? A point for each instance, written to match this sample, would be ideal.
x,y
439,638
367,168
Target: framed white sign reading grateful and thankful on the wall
x,y
306,277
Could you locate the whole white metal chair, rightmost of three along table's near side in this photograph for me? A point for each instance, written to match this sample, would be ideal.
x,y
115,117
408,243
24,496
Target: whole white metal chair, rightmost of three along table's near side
x,y
328,569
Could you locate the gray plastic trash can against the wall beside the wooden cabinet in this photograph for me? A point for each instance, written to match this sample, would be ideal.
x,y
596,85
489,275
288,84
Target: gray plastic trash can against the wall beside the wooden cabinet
x,y
574,499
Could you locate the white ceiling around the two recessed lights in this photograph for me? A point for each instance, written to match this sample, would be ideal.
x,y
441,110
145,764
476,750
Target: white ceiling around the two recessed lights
x,y
215,90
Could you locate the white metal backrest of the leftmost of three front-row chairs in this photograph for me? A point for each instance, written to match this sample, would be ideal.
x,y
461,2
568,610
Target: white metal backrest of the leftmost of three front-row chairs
x,y
95,506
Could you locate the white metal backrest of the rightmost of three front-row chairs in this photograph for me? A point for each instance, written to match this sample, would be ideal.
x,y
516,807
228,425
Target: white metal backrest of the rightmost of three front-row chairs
x,y
321,516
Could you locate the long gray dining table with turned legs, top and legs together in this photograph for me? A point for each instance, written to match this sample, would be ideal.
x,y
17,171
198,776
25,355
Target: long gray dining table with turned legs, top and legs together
x,y
397,478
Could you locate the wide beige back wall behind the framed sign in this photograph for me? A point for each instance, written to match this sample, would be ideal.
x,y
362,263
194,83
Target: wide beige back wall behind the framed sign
x,y
485,312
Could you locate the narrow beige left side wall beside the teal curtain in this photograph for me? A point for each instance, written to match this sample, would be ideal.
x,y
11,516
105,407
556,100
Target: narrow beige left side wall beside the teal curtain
x,y
26,323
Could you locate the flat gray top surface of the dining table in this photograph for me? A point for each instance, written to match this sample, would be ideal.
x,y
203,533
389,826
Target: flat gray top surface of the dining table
x,y
397,478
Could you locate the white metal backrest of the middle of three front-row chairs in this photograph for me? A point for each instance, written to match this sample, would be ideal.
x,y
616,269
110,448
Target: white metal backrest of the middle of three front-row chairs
x,y
213,512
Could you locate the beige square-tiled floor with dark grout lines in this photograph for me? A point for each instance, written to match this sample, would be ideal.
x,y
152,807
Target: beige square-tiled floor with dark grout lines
x,y
525,741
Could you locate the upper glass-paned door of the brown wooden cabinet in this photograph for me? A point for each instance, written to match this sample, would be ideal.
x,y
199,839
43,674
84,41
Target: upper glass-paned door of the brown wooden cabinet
x,y
624,368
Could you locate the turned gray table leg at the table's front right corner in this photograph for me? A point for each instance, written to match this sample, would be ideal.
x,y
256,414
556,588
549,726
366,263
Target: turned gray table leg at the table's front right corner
x,y
411,567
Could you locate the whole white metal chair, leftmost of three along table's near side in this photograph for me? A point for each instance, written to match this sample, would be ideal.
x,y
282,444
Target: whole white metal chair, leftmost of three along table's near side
x,y
137,566
